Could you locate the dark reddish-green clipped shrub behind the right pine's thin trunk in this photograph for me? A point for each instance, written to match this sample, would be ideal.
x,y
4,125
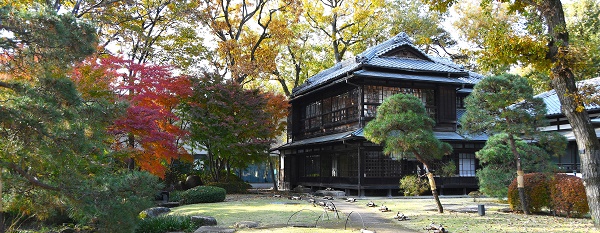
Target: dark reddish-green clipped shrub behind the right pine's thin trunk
x,y
537,193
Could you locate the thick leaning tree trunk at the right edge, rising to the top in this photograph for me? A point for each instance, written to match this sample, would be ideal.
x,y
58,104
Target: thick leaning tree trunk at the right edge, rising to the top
x,y
563,82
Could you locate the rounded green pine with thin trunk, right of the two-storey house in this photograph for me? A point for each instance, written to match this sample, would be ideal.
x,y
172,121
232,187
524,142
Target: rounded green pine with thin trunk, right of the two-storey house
x,y
505,104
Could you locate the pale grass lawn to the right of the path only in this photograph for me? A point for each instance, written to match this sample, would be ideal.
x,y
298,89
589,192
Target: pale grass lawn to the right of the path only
x,y
423,211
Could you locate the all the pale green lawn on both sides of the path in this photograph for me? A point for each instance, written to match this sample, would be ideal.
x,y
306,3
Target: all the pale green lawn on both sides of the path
x,y
273,214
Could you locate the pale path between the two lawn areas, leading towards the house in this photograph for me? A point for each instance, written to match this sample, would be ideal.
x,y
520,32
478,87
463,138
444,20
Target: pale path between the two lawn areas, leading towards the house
x,y
372,220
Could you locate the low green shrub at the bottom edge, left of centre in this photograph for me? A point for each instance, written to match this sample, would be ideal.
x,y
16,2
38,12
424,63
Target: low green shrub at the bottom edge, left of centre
x,y
166,223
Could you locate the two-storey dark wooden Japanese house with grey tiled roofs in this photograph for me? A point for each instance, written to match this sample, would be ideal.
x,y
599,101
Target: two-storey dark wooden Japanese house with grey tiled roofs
x,y
326,147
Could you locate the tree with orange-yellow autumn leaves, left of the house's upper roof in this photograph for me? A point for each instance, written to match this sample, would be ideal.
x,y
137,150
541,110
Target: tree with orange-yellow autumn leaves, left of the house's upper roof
x,y
247,34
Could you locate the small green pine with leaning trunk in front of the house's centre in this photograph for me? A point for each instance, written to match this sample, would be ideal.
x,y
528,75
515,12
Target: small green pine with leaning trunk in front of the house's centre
x,y
403,127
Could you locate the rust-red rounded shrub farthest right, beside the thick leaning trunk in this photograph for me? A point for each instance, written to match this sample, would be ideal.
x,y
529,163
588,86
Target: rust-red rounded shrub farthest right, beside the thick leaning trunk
x,y
568,195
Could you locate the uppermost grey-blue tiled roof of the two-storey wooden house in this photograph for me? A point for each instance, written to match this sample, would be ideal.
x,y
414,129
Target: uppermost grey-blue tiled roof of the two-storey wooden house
x,y
373,58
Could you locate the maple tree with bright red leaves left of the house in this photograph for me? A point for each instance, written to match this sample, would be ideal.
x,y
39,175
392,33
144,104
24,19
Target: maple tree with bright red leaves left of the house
x,y
149,132
